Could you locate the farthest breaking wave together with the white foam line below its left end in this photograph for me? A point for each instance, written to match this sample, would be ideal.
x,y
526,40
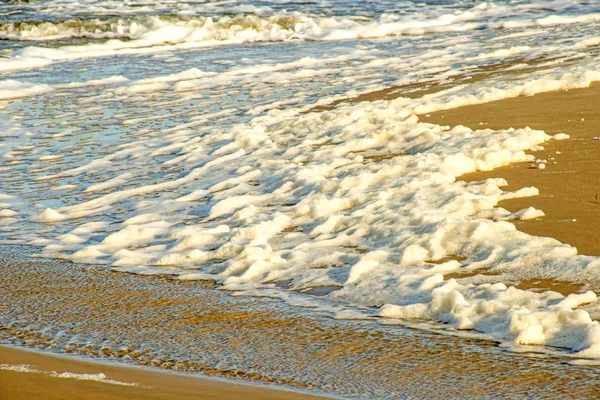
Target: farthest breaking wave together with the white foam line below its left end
x,y
149,34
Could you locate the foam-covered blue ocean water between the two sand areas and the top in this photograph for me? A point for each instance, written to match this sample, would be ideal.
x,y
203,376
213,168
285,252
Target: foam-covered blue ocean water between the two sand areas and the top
x,y
226,141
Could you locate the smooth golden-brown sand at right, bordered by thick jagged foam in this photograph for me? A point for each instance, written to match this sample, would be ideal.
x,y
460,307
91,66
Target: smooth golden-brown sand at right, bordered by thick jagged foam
x,y
570,188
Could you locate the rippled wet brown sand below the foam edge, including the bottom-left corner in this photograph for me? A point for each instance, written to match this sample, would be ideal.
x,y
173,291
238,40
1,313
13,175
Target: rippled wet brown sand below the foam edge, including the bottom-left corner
x,y
193,327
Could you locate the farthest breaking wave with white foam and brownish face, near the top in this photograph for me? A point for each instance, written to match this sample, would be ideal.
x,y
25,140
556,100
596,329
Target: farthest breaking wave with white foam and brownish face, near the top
x,y
284,25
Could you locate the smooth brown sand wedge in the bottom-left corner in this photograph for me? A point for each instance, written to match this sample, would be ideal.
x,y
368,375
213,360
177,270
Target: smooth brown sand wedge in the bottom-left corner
x,y
150,385
